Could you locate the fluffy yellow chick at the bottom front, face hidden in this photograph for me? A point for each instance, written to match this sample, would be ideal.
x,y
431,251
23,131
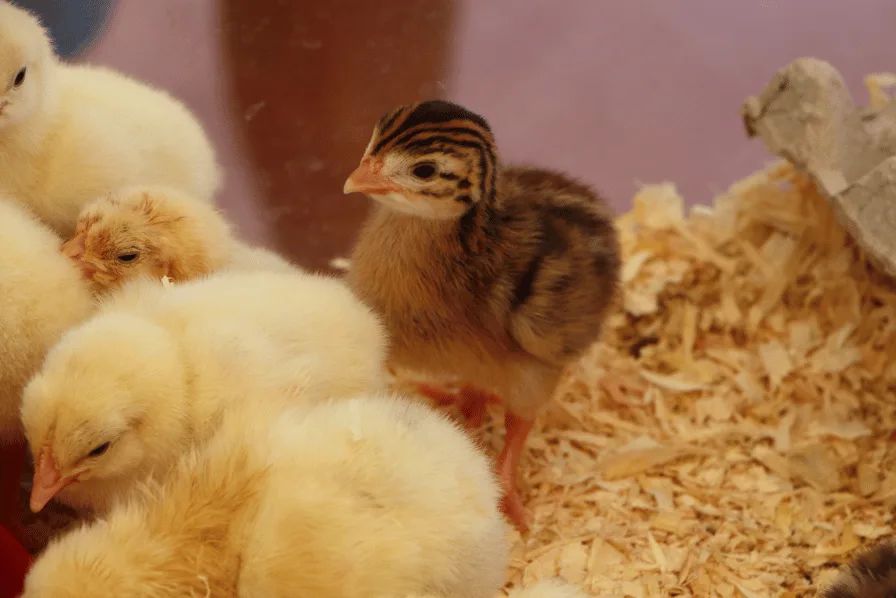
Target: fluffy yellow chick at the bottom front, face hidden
x,y
332,500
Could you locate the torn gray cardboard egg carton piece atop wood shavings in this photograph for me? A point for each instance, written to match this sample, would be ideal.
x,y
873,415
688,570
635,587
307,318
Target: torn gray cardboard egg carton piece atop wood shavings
x,y
807,116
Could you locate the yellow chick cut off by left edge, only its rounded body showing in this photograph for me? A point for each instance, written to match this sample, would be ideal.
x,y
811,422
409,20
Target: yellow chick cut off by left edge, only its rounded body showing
x,y
41,296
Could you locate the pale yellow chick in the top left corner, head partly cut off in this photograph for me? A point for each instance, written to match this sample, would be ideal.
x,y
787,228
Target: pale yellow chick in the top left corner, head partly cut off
x,y
70,133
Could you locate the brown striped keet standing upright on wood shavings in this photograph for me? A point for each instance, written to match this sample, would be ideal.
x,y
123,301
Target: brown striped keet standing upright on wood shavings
x,y
498,275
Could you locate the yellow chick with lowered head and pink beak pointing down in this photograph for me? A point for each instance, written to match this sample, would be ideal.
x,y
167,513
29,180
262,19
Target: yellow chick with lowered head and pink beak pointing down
x,y
129,390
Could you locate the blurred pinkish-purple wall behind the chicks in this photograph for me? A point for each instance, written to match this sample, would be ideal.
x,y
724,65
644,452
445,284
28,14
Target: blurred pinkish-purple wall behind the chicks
x,y
614,92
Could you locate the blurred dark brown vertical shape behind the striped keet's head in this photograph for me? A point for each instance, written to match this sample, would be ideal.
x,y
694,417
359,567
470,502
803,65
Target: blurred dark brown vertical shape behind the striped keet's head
x,y
310,79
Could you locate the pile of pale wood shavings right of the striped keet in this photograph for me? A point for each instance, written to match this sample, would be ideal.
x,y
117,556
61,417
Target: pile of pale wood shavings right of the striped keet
x,y
732,435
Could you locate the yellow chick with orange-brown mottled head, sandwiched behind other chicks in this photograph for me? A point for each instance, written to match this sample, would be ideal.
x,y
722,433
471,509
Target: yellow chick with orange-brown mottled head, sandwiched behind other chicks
x,y
158,231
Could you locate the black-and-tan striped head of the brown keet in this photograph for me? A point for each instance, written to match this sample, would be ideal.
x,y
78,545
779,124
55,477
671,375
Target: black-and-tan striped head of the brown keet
x,y
432,159
